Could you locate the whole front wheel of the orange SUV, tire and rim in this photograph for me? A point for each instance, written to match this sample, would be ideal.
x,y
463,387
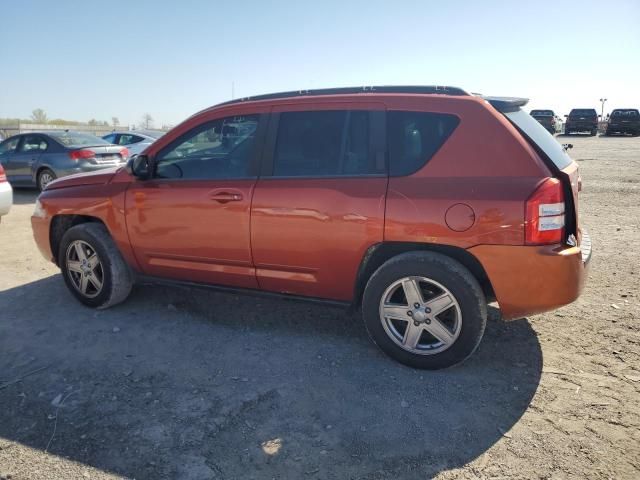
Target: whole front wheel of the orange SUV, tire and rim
x,y
109,269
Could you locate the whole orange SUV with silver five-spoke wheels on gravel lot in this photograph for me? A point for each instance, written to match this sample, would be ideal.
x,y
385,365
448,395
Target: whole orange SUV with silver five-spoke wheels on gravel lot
x,y
419,205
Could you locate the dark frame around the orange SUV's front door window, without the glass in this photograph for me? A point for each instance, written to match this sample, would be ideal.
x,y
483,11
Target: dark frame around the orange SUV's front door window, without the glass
x,y
254,155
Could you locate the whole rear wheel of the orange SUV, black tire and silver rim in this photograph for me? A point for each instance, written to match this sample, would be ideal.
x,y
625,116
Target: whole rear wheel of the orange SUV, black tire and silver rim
x,y
438,276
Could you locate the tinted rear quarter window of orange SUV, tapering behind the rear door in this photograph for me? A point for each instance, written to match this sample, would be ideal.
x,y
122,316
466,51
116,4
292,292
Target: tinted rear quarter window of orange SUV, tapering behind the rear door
x,y
413,138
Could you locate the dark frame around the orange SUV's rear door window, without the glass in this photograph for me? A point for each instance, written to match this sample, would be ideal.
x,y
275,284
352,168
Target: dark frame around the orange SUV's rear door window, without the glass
x,y
377,145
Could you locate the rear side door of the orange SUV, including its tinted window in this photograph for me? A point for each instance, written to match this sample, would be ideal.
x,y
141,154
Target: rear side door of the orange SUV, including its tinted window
x,y
319,203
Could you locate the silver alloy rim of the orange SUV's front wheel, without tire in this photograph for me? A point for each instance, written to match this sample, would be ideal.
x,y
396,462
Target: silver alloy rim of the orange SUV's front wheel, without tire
x,y
84,269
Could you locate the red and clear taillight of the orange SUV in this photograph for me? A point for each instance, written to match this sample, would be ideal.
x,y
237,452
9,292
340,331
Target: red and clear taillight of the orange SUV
x,y
544,224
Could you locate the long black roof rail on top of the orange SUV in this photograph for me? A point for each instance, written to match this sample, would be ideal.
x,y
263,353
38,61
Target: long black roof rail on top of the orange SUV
x,y
418,89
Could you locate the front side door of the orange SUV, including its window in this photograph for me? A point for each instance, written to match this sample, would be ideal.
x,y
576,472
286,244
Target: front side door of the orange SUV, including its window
x,y
190,221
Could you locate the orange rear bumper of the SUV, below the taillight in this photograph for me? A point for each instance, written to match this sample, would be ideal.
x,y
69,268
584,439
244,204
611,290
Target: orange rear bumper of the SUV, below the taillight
x,y
534,279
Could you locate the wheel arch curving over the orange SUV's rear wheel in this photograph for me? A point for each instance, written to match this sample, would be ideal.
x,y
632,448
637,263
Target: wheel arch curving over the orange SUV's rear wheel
x,y
379,253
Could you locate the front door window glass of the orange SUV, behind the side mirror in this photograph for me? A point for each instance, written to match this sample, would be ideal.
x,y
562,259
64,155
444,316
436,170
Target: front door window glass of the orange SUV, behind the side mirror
x,y
218,149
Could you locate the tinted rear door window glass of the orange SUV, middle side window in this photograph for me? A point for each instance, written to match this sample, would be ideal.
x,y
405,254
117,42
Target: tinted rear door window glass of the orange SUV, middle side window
x,y
323,143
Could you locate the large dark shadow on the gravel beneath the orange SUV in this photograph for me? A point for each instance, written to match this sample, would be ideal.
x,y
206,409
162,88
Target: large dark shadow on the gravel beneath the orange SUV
x,y
187,383
